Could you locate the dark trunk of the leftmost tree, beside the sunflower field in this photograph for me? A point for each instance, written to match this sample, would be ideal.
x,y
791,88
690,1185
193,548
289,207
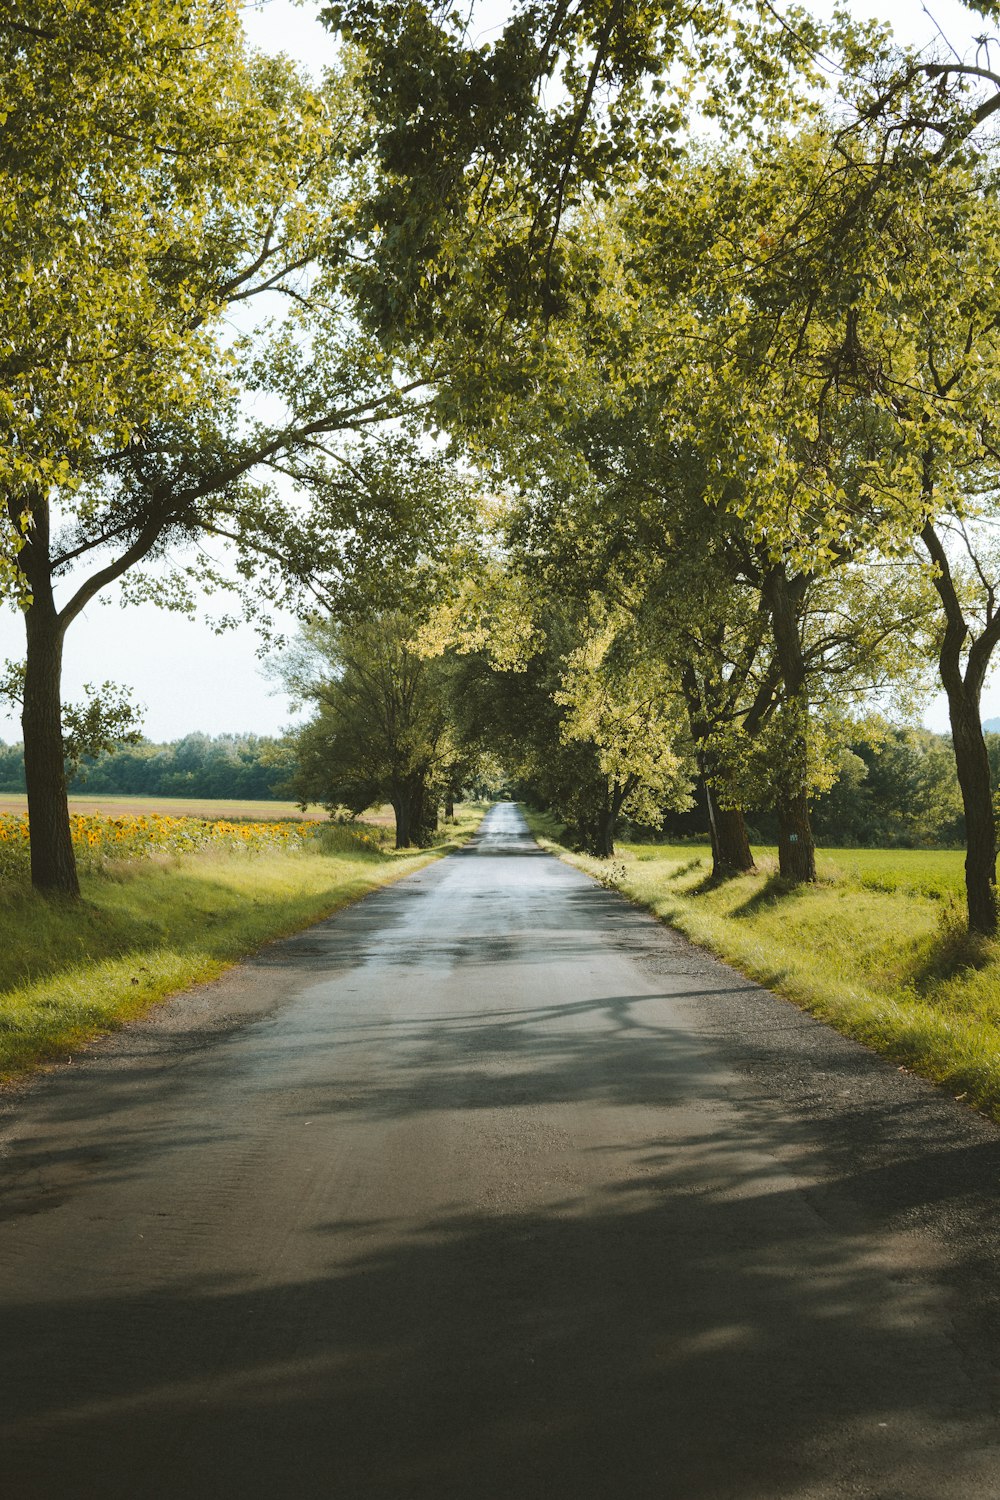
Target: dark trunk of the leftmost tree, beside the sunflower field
x,y
53,859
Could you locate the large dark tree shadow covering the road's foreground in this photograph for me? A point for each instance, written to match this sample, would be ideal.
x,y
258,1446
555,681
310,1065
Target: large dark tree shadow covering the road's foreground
x,y
683,1328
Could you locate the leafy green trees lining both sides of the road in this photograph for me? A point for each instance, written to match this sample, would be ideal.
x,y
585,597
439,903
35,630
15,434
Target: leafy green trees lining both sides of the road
x,y
737,394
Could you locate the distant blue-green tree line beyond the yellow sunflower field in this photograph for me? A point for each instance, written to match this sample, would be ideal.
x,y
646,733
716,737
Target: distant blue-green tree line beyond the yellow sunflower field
x,y
247,767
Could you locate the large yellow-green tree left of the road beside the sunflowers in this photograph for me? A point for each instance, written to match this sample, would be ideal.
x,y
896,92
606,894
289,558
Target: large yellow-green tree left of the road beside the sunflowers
x,y
163,179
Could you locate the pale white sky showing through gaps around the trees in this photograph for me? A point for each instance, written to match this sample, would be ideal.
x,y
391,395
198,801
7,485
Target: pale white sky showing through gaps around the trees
x,y
188,677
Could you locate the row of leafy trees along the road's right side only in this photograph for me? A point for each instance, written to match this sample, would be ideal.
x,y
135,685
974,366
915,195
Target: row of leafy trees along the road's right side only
x,y
747,391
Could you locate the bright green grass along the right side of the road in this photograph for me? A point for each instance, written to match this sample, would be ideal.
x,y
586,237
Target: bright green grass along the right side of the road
x,y
876,949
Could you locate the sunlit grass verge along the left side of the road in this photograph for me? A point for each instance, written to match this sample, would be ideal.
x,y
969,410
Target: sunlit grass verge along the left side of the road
x,y
148,929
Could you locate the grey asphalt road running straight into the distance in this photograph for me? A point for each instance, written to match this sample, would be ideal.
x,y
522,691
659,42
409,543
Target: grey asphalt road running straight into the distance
x,y
491,1187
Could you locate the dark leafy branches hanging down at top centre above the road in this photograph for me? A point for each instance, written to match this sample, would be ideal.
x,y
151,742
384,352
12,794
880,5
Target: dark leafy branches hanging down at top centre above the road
x,y
487,146
